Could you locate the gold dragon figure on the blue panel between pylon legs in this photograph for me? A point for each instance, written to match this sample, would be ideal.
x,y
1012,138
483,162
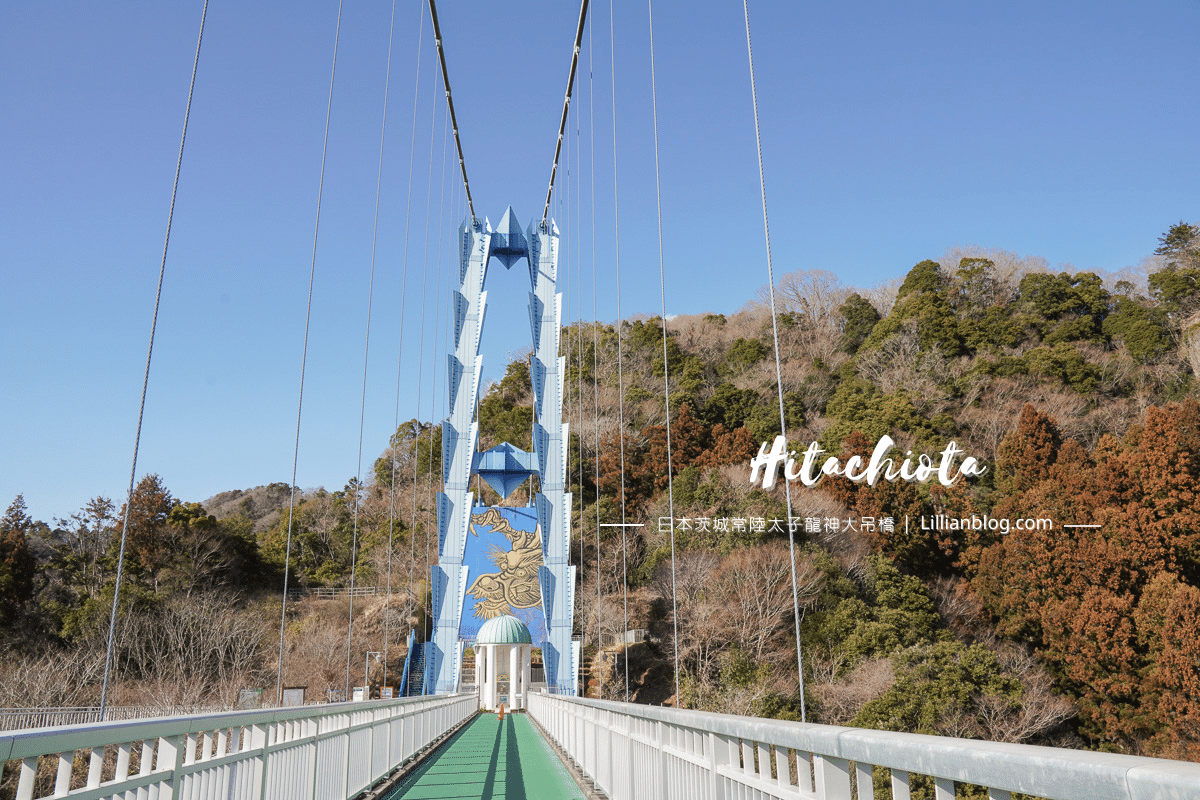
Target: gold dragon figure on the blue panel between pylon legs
x,y
515,585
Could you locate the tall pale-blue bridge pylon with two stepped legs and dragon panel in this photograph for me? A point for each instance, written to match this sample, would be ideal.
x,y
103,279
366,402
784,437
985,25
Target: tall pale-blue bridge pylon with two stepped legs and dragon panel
x,y
551,587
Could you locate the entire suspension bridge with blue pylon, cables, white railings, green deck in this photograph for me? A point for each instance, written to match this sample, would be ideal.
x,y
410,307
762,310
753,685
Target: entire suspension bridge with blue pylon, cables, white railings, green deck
x,y
471,720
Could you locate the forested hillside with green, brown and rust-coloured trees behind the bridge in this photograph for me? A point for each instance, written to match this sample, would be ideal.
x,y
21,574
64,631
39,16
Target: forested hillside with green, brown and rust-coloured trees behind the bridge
x,y
1077,390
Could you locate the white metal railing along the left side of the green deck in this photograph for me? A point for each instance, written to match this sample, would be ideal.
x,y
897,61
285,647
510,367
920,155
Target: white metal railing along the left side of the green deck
x,y
325,753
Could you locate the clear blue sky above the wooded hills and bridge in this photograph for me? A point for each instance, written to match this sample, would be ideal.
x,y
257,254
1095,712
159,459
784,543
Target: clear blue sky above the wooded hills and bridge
x,y
891,133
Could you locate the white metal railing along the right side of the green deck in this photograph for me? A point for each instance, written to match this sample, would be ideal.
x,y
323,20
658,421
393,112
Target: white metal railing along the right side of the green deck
x,y
639,751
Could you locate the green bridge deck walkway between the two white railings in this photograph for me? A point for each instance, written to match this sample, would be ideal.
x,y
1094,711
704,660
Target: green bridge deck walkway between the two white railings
x,y
491,759
